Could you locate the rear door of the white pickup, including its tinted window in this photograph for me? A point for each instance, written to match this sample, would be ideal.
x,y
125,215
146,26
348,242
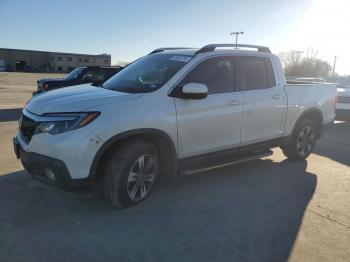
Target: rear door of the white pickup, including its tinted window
x,y
263,100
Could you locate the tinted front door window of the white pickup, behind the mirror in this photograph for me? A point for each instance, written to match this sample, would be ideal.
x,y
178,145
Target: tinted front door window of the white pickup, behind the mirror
x,y
216,73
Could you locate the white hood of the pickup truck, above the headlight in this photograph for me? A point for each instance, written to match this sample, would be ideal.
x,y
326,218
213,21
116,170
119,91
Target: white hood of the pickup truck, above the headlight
x,y
75,99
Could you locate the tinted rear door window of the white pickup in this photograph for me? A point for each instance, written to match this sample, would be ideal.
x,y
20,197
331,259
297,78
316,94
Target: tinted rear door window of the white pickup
x,y
255,73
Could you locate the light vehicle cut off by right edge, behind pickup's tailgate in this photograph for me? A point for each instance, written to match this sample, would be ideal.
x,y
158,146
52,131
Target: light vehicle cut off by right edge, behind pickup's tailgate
x,y
343,104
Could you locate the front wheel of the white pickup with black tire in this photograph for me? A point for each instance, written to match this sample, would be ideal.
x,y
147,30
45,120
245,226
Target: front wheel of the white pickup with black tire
x,y
118,171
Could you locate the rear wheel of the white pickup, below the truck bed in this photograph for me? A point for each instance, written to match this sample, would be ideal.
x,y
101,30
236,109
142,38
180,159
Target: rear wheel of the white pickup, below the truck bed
x,y
297,148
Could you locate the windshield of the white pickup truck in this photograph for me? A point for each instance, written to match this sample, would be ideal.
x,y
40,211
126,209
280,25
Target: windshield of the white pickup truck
x,y
147,74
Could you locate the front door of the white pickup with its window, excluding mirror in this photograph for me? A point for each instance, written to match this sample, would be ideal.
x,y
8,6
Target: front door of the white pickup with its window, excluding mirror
x,y
213,123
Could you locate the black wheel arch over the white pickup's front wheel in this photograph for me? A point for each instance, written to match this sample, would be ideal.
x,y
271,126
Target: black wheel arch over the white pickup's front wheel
x,y
161,140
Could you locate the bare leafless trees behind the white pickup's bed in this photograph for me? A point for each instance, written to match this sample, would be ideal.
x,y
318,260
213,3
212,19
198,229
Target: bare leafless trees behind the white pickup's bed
x,y
295,65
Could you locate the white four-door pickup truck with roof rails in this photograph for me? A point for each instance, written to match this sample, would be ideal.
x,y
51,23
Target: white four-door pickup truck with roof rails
x,y
174,111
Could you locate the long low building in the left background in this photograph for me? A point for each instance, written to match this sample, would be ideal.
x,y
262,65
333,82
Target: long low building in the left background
x,y
30,60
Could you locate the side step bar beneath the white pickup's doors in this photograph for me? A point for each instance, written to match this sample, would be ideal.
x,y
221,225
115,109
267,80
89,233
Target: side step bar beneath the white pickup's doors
x,y
236,160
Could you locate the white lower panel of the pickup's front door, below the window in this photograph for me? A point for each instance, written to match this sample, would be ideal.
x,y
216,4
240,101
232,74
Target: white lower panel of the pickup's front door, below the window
x,y
208,125
